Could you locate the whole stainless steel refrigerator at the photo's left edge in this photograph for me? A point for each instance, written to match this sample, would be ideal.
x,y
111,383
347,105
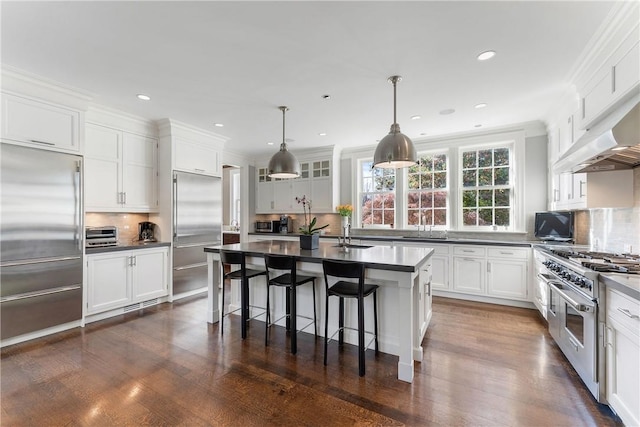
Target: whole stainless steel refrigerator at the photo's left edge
x,y
41,240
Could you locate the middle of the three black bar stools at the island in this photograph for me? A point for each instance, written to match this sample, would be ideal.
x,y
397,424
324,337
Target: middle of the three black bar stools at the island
x,y
290,281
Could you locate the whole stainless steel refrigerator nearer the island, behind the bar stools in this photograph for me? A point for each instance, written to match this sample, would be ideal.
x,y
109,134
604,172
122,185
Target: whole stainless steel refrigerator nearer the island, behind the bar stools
x,y
197,216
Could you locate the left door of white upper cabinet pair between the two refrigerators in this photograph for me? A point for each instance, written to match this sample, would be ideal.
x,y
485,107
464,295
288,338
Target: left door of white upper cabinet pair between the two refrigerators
x,y
102,169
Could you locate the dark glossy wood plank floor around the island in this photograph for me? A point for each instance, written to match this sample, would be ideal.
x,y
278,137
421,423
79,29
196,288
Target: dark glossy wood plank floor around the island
x,y
484,365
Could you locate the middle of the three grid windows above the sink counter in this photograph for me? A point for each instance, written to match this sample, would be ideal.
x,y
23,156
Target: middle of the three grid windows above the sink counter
x,y
427,193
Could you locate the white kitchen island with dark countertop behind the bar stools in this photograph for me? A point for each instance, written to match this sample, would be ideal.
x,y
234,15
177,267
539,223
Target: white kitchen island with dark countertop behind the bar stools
x,y
404,301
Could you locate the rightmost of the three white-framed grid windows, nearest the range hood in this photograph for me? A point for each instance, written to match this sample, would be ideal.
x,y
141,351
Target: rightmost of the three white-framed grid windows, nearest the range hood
x,y
487,187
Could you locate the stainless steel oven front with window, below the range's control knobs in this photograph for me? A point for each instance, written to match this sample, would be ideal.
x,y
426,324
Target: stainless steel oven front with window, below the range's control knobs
x,y
576,331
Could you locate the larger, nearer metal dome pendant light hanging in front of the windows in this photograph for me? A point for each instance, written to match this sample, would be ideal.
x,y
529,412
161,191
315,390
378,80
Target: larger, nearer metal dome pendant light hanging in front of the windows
x,y
396,149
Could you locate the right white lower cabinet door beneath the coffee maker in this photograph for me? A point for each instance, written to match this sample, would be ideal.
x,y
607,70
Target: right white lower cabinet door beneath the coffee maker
x,y
149,274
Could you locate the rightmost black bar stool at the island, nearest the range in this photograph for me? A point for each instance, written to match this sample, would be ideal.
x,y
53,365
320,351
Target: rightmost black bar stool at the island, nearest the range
x,y
349,289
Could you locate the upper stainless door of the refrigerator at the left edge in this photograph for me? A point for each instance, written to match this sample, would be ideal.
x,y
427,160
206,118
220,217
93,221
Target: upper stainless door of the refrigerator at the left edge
x,y
41,204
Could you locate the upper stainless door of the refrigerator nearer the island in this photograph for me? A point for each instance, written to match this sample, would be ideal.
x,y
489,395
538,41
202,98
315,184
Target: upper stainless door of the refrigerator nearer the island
x,y
197,209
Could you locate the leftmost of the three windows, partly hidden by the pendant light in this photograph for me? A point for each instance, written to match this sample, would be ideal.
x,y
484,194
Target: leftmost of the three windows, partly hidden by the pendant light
x,y
377,195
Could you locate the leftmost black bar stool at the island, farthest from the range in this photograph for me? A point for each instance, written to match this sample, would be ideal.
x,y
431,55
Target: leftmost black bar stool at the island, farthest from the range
x,y
228,258
